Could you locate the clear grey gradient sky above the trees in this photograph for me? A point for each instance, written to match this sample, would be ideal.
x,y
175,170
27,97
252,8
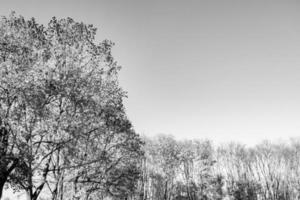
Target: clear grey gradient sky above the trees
x,y
219,70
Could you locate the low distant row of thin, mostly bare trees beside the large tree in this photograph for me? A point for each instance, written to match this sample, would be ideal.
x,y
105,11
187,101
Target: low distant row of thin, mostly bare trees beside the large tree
x,y
195,170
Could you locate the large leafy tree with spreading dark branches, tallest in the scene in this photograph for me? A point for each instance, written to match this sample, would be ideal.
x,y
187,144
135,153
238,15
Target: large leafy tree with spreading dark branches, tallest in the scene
x,y
61,105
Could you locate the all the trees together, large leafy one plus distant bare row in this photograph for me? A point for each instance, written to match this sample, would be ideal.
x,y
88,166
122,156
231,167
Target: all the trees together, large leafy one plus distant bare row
x,y
64,133
